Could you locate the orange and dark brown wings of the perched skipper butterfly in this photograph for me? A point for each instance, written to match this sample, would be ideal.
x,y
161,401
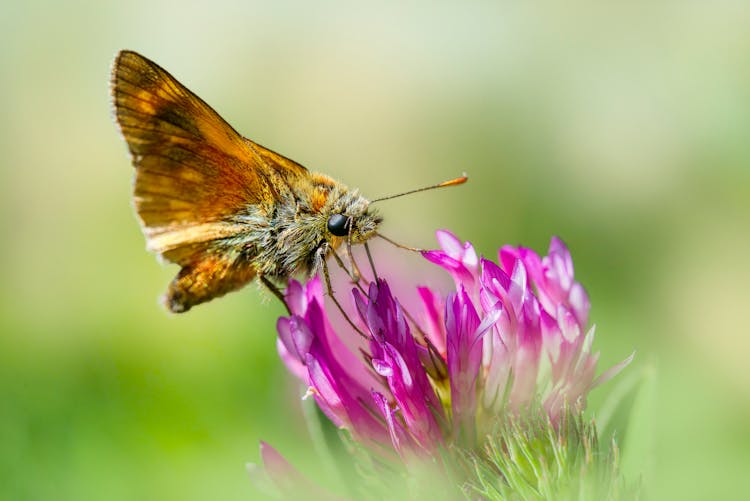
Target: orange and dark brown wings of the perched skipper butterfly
x,y
194,172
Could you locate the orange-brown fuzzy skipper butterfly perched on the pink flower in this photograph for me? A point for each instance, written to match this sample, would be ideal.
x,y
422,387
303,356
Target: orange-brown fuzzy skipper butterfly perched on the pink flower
x,y
222,207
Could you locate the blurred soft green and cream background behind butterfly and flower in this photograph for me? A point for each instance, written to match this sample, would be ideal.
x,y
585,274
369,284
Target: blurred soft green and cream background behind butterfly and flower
x,y
623,128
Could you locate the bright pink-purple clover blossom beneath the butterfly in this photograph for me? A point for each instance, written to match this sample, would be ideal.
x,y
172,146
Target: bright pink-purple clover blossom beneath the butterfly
x,y
512,337
